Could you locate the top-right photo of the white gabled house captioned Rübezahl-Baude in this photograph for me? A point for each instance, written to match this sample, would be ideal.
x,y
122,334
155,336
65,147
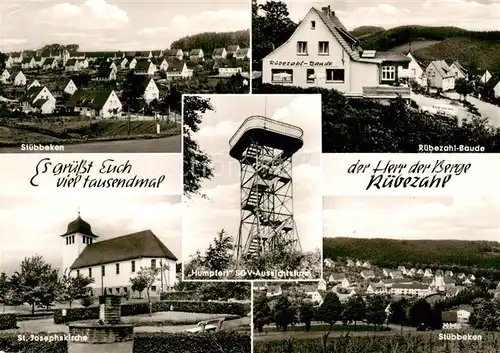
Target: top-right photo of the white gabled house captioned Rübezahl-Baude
x,y
395,76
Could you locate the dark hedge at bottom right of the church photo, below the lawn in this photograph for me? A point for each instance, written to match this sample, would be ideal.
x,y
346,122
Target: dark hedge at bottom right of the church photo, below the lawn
x,y
222,341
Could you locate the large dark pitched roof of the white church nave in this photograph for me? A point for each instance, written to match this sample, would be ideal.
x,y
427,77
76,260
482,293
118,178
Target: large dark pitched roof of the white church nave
x,y
130,246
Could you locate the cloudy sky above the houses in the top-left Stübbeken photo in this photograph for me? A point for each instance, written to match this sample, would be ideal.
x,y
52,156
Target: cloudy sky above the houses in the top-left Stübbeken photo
x,y
115,24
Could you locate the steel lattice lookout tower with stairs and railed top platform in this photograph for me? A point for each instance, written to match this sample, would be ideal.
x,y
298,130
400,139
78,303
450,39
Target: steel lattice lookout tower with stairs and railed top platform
x,y
264,149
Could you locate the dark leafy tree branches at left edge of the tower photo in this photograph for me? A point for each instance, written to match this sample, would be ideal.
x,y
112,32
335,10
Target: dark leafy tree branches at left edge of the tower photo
x,y
197,164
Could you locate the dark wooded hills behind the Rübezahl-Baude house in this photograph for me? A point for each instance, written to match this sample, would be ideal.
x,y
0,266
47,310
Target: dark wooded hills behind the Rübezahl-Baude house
x,y
471,48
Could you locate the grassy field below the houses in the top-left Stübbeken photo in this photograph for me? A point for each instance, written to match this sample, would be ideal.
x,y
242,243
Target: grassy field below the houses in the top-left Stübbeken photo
x,y
71,131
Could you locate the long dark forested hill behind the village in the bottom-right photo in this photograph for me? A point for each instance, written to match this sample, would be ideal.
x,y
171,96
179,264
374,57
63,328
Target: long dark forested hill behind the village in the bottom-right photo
x,y
388,252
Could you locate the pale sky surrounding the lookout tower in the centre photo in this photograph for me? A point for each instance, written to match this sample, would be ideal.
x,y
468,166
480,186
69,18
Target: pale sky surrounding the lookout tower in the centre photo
x,y
203,219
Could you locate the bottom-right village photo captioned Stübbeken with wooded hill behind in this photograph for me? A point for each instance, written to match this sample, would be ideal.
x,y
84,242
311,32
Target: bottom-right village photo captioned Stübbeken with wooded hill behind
x,y
397,270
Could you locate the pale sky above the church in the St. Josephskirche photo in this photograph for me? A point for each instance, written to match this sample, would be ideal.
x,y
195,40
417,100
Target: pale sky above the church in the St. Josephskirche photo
x,y
33,225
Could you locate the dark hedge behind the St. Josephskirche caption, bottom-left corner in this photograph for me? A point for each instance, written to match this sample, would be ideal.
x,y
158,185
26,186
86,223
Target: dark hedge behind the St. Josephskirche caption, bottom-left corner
x,y
11,342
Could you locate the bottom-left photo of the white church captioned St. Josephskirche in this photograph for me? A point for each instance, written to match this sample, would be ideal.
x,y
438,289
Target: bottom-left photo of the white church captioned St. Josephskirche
x,y
102,275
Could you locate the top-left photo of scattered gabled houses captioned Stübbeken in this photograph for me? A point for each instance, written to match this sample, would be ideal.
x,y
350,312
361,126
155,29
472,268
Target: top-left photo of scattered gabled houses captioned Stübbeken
x,y
99,76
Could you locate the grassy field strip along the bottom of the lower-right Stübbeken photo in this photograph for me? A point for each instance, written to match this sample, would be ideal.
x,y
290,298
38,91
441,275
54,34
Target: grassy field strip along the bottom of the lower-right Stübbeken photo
x,y
432,343
